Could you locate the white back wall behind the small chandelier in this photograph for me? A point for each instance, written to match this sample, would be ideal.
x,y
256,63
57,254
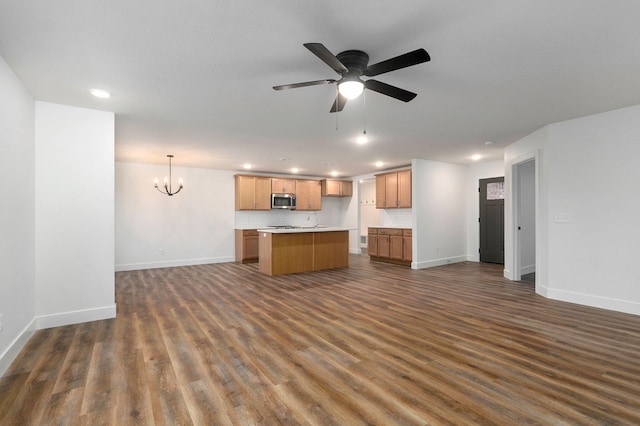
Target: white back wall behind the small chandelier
x,y
154,230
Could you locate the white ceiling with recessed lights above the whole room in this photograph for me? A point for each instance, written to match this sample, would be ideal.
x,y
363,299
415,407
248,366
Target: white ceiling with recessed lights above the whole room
x,y
194,77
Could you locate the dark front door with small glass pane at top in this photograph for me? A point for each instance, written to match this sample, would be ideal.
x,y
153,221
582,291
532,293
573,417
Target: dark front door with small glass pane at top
x,y
492,220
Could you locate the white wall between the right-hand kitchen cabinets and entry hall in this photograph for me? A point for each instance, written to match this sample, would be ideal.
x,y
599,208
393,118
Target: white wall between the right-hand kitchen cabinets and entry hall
x,y
439,208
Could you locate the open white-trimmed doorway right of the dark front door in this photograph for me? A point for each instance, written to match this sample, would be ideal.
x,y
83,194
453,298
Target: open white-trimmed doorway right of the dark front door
x,y
524,202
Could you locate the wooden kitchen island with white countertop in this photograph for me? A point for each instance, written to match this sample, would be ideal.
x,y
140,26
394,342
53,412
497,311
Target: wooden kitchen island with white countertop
x,y
302,249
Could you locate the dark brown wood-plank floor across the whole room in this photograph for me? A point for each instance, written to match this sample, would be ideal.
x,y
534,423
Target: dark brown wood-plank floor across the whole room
x,y
371,344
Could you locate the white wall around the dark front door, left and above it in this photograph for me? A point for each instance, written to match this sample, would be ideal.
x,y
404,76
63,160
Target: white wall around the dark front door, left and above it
x,y
475,172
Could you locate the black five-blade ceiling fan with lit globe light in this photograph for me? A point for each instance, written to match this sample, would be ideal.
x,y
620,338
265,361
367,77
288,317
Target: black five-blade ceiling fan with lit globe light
x,y
351,65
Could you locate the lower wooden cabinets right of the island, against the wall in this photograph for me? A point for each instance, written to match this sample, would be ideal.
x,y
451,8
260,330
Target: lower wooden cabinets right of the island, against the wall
x,y
391,245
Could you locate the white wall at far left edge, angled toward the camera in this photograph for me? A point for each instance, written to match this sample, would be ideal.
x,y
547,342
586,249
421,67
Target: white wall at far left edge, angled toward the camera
x,y
17,215
